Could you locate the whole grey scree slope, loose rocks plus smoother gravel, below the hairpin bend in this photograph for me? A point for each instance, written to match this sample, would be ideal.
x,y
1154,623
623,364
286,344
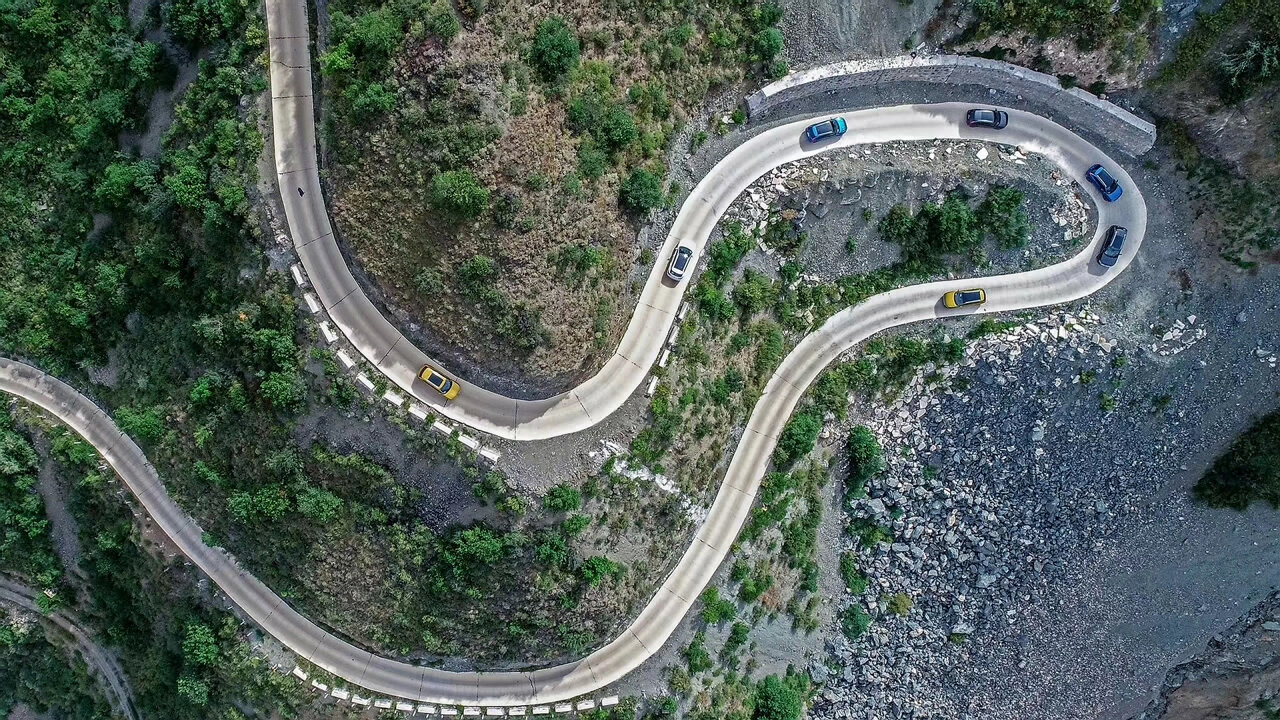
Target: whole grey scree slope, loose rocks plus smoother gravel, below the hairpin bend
x,y
1040,525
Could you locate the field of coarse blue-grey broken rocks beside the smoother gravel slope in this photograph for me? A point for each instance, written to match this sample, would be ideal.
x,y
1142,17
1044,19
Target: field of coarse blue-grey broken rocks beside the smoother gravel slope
x,y
982,513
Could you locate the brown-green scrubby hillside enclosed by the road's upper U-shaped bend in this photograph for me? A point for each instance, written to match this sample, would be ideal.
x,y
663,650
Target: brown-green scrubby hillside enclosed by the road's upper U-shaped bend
x,y
564,244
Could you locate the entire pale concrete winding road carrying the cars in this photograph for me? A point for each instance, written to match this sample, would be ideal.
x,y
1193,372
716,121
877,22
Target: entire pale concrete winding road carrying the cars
x,y
596,399
